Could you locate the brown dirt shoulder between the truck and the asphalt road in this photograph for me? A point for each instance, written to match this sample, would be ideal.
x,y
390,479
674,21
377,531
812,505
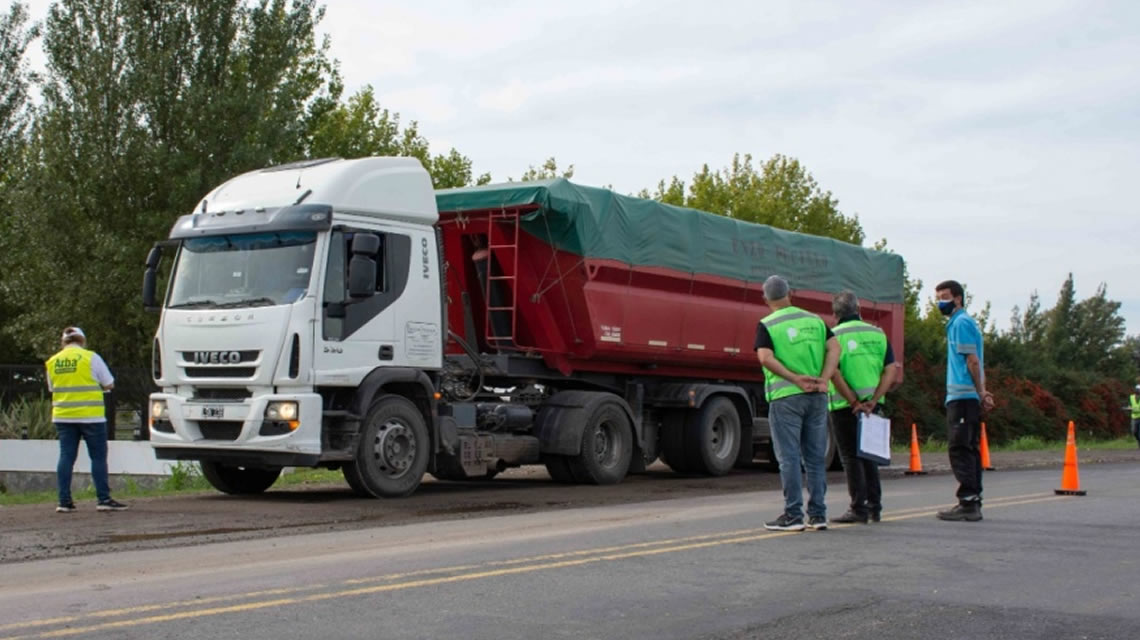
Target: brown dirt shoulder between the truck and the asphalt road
x,y
36,532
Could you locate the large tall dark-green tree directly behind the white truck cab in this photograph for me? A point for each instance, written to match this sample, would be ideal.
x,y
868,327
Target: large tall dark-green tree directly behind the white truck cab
x,y
146,107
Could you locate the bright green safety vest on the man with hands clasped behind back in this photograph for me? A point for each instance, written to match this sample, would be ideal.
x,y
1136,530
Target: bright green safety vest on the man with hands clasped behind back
x,y
799,342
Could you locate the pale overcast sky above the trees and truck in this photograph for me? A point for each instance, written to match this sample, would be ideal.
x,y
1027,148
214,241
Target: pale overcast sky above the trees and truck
x,y
988,142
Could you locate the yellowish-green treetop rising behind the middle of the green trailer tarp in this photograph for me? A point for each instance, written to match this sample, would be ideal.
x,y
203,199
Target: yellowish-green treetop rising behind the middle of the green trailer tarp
x,y
781,193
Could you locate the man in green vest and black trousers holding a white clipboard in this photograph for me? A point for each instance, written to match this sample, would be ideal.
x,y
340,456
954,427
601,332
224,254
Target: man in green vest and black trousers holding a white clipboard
x,y
867,372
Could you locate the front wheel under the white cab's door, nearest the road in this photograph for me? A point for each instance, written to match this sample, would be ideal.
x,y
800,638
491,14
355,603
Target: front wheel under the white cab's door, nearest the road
x,y
393,456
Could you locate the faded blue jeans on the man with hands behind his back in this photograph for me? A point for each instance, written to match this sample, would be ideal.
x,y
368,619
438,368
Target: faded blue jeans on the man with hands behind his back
x,y
800,434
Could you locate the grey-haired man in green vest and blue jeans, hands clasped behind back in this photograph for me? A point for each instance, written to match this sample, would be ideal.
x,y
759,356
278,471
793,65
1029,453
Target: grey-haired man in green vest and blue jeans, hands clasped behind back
x,y
800,355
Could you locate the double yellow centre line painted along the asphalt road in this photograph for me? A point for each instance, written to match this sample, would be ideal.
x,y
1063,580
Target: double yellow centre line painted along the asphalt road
x,y
530,565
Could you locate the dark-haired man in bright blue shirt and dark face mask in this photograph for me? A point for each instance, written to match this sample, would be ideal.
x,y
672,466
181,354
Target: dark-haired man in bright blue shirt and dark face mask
x,y
966,399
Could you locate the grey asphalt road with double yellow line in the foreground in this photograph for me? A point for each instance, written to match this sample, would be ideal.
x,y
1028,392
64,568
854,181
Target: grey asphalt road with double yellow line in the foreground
x,y
1039,566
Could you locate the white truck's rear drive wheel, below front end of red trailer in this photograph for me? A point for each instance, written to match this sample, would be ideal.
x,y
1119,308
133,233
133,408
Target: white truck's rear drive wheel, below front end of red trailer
x,y
607,445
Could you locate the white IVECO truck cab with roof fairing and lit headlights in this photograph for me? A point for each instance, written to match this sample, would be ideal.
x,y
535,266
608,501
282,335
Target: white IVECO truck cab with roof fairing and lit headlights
x,y
289,280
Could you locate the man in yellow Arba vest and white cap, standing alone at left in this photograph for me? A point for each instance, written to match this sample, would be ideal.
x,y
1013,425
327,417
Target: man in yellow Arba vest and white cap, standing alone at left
x,y
78,379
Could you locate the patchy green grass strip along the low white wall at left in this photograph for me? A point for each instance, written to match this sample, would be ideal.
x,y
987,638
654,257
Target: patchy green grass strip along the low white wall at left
x,y
185,480
